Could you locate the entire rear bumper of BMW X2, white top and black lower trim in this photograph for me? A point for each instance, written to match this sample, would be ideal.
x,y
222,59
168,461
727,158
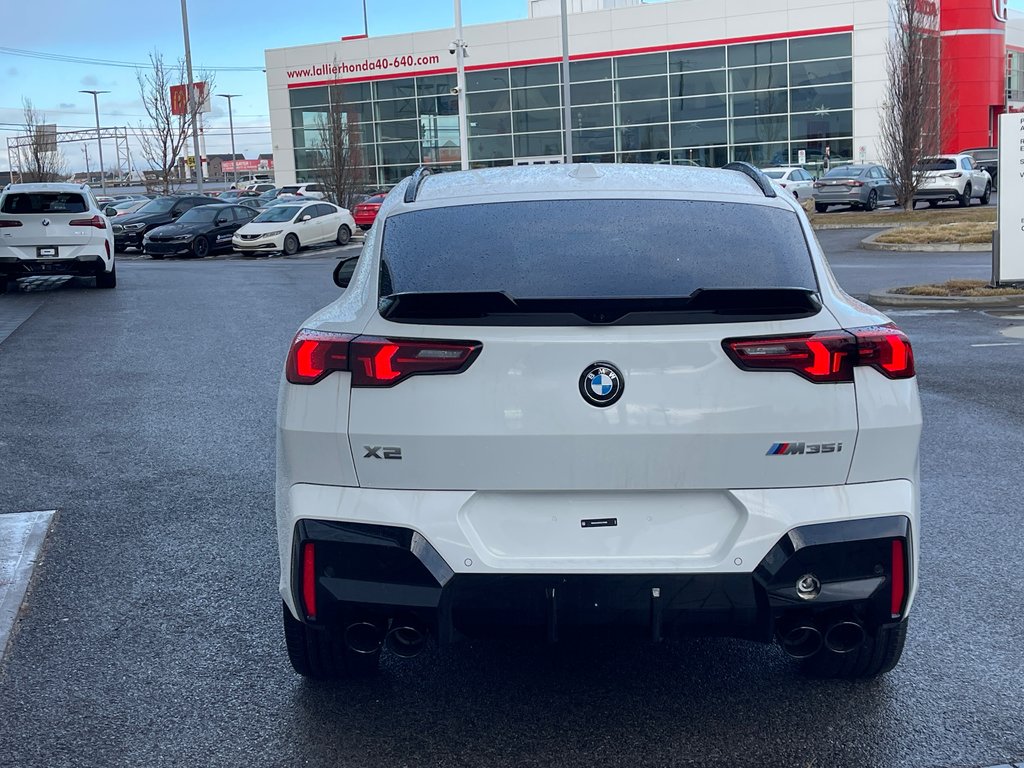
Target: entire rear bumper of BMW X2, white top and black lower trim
x,y
389,554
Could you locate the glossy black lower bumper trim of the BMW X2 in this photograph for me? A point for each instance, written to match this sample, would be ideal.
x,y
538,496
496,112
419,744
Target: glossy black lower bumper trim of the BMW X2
x,y
386,574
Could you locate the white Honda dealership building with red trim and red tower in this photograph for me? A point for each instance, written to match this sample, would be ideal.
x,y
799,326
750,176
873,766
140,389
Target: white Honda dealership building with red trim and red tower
x,y
682,82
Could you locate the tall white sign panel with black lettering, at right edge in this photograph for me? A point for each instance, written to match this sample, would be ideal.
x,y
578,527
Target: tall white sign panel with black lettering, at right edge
x,y
1008,258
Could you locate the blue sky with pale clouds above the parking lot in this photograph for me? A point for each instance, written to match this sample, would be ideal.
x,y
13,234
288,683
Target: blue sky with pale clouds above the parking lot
x,y
225,34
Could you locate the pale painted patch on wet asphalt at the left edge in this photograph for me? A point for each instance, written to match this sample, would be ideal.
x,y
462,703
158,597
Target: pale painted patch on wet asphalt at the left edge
x,y
22,538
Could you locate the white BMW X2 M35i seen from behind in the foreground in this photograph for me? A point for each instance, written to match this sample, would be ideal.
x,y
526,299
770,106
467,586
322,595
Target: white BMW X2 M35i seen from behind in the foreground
x,y
581,400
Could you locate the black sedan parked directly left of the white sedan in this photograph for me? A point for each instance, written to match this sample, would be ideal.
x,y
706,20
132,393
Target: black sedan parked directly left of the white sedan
x,y
199,232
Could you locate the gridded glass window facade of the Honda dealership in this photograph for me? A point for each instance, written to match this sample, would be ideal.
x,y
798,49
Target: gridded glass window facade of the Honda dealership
x,y
761,103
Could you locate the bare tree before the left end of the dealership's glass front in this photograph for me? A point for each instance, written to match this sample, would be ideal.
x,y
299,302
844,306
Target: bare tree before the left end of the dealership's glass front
x,y
337,156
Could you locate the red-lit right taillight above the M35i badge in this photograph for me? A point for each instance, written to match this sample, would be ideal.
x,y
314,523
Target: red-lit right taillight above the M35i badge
x,y
829,357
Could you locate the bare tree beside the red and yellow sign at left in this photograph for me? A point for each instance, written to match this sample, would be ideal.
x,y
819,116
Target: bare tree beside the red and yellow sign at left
x,y
164,140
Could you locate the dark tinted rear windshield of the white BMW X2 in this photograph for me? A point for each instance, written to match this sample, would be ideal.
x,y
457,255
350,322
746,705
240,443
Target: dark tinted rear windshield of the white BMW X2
x,y
594,249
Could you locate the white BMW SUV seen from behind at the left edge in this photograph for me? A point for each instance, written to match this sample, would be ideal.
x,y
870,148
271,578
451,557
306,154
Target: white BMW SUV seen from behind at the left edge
x,y
55,229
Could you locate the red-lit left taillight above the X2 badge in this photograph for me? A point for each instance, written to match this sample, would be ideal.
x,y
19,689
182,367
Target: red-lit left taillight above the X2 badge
x,y
374,362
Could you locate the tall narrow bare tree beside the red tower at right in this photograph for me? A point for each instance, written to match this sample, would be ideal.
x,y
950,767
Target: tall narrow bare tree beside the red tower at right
x,y
912,123
